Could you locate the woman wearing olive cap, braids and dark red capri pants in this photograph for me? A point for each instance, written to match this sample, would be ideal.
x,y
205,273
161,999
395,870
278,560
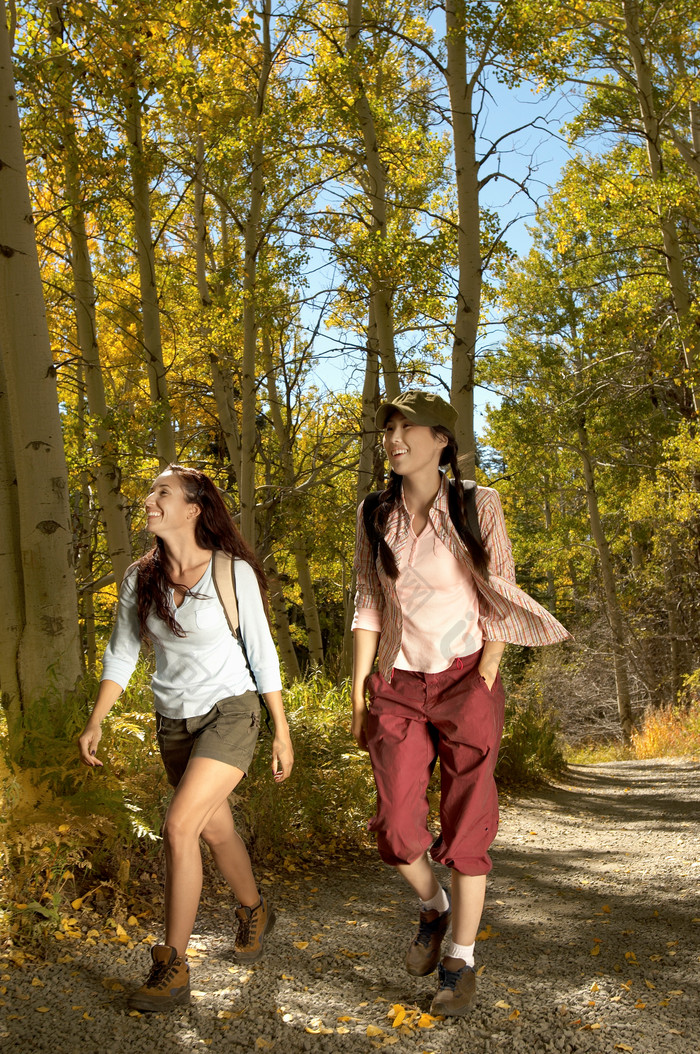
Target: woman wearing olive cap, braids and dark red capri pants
x,y
436,606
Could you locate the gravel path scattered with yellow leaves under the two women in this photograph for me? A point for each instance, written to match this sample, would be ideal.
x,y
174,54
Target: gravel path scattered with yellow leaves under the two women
x,y
590,944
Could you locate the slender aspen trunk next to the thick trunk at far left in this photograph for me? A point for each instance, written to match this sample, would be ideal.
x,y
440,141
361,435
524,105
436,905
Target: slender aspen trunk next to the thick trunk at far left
x,y
108,475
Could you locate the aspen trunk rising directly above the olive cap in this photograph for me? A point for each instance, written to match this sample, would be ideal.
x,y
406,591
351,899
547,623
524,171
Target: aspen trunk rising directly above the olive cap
x,y
381,296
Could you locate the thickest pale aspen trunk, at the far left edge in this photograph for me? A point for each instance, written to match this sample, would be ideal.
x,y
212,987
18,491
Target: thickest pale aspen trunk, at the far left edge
x,y
49,659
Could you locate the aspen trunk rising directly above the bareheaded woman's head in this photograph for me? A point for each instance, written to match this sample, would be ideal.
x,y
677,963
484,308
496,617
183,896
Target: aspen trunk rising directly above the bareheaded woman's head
x,y
147,274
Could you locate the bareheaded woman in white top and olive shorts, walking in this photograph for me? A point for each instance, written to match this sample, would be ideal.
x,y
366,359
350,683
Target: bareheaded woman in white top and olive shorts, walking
x,y
205,685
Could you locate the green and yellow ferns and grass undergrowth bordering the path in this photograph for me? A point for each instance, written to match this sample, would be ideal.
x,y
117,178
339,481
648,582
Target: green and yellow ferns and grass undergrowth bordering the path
x,y
87,842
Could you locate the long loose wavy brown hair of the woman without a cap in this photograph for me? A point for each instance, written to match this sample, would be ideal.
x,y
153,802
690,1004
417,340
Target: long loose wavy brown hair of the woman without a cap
x,y
215,530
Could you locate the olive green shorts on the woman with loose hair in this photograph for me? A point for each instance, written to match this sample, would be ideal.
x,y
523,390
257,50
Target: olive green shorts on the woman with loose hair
x,y
228,733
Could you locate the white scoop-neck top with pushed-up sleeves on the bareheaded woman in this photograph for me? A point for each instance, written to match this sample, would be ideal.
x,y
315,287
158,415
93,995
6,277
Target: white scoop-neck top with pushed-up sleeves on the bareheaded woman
x,y
196,672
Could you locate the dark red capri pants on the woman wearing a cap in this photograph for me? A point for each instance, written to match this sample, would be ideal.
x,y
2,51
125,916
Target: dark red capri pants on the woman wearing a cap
x,y
415,720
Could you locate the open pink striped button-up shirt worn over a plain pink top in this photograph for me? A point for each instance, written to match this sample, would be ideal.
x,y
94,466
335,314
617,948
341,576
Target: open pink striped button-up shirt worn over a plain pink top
x,y
505,613
